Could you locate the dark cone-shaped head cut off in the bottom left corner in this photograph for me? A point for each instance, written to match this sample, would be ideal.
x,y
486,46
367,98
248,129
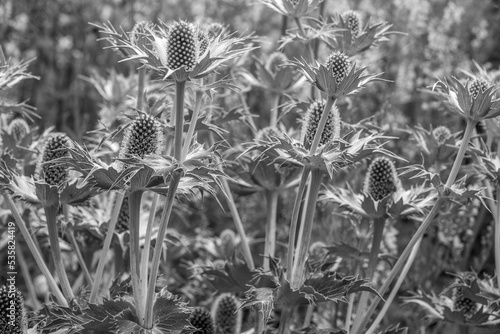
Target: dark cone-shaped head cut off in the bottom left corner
x,y
12,311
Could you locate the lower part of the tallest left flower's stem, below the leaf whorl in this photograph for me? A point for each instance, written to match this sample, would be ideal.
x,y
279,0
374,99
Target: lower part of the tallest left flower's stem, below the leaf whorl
x,y
162,231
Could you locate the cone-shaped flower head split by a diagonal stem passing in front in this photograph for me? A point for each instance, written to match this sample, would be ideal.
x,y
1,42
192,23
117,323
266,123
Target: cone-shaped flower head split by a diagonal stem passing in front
x,y
311,122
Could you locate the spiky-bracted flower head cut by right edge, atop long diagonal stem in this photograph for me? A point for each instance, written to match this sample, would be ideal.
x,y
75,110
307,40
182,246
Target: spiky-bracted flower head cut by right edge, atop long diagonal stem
x,y
475,100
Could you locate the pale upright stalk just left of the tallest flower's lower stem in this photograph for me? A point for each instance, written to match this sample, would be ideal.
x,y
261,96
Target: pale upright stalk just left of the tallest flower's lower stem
x,y
134,205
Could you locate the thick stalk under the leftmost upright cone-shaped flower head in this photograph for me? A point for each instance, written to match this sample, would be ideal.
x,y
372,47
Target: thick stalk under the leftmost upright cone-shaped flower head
x,y
51,216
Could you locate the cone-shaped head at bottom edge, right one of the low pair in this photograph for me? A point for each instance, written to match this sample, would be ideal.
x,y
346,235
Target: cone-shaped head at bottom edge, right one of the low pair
x,y
227,314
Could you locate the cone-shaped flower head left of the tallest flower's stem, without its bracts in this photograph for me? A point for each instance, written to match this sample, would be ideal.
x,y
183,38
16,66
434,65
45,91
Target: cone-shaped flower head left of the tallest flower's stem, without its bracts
x,y
142,137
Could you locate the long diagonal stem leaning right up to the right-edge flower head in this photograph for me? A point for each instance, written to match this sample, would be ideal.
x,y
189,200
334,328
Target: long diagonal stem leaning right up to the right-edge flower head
x,y
423,227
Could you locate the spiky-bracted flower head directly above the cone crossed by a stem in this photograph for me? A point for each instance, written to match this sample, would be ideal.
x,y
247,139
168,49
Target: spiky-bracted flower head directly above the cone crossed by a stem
x,y
337,77
